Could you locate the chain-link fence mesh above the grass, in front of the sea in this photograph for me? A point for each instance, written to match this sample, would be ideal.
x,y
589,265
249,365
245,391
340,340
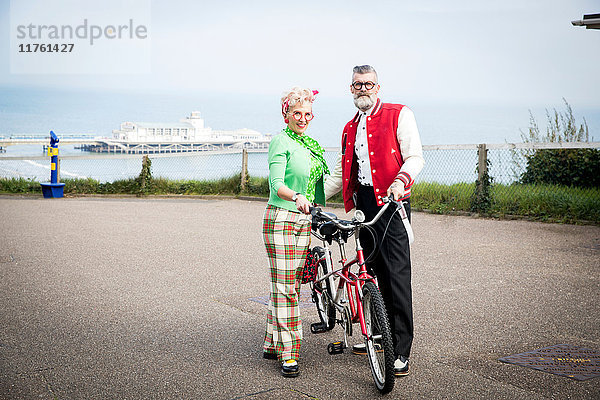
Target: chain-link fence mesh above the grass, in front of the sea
x,y
445,164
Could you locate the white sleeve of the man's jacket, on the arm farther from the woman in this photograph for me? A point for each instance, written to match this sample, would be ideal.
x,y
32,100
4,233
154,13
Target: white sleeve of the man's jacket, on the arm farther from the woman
x,y
410,145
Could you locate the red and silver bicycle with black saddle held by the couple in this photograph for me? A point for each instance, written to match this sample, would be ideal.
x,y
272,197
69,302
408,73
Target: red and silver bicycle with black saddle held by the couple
x,y
354,296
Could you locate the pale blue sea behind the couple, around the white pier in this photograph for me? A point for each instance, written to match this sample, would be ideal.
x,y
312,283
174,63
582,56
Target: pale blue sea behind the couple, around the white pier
x,y
36,111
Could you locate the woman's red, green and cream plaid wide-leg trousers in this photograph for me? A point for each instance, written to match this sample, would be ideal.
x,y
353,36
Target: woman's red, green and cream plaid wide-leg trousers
x,y
286,235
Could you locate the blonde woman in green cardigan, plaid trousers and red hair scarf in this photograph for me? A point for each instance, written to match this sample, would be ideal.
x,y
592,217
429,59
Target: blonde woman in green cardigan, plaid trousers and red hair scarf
x,y
296,168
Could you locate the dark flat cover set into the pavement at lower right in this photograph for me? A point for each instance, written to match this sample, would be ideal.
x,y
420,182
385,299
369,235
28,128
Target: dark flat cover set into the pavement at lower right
x,y
571,361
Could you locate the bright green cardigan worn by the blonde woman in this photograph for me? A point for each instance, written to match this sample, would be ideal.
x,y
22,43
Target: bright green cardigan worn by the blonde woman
x,y
289,165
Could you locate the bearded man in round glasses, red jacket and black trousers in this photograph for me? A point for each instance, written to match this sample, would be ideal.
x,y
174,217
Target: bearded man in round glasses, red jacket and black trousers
x,y
381,155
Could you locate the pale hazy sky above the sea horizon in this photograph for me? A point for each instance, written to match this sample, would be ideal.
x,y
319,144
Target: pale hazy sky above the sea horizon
x,y
464,51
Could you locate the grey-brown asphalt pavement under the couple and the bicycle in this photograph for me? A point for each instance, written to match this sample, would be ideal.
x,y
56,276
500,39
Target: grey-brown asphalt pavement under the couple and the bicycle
x,y
162,298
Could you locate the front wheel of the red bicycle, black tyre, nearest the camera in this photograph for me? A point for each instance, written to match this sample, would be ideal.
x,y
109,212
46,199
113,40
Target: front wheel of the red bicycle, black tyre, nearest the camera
x,y
381,357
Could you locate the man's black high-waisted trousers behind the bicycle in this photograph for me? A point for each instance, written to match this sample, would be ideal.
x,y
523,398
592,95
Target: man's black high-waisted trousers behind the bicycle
x,y
391,266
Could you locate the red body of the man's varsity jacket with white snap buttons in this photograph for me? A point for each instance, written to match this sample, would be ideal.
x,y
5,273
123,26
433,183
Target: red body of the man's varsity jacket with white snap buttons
x,y
384,152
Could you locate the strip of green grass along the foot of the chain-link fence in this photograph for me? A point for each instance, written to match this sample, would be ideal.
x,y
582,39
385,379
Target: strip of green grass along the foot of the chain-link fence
x,y
538,202
